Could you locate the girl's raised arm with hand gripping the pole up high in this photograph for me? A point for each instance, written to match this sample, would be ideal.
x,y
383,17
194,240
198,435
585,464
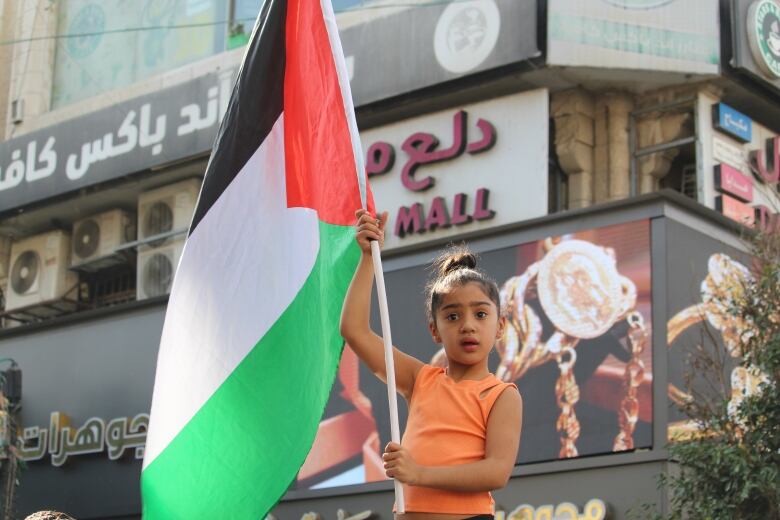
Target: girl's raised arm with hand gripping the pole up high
x,y
355,313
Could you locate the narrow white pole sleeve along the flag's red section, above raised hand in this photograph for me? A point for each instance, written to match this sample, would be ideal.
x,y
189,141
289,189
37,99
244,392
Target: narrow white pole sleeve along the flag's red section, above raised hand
x,y
346,94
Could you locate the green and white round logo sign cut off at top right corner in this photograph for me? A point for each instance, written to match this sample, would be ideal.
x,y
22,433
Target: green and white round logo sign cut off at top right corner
x,y
764,35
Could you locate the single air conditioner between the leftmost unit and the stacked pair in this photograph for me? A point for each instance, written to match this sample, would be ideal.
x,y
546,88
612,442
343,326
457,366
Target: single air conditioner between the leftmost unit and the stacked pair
x,y
100,235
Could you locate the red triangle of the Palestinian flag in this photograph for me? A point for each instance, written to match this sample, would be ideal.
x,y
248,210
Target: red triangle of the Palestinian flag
x,y
319,160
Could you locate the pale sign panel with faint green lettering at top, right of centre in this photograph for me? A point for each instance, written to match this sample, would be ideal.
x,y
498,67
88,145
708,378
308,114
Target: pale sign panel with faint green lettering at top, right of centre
x,y
670,35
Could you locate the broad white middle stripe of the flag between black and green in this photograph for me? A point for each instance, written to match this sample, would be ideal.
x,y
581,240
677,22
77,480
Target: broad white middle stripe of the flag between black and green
x,y
216,314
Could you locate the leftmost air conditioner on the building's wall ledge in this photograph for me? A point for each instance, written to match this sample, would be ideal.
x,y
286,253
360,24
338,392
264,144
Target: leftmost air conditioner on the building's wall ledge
x,y
39,270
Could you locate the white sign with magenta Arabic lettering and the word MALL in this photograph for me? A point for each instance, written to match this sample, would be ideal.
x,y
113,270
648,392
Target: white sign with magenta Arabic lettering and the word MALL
x,y
461,170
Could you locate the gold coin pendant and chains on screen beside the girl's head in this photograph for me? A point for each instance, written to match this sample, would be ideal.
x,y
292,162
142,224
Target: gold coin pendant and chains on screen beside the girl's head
x,y
582,293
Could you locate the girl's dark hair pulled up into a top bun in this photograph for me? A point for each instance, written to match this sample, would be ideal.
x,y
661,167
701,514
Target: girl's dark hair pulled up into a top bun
x,y
456,267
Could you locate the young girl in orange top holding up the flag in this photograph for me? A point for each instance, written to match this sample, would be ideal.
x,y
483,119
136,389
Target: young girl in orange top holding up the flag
x,y
463,430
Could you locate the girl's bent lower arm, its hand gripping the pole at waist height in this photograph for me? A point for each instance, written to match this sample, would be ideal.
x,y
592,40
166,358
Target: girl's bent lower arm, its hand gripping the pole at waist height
x,y
492,472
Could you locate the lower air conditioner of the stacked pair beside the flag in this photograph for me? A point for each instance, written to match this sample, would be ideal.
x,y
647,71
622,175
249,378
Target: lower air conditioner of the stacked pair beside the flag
x,y
156,268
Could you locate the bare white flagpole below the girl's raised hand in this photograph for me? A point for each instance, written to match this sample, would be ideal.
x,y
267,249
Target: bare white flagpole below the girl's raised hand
x,y
392,396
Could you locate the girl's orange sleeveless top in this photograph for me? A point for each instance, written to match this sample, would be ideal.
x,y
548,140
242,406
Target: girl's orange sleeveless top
x,y
447,426
